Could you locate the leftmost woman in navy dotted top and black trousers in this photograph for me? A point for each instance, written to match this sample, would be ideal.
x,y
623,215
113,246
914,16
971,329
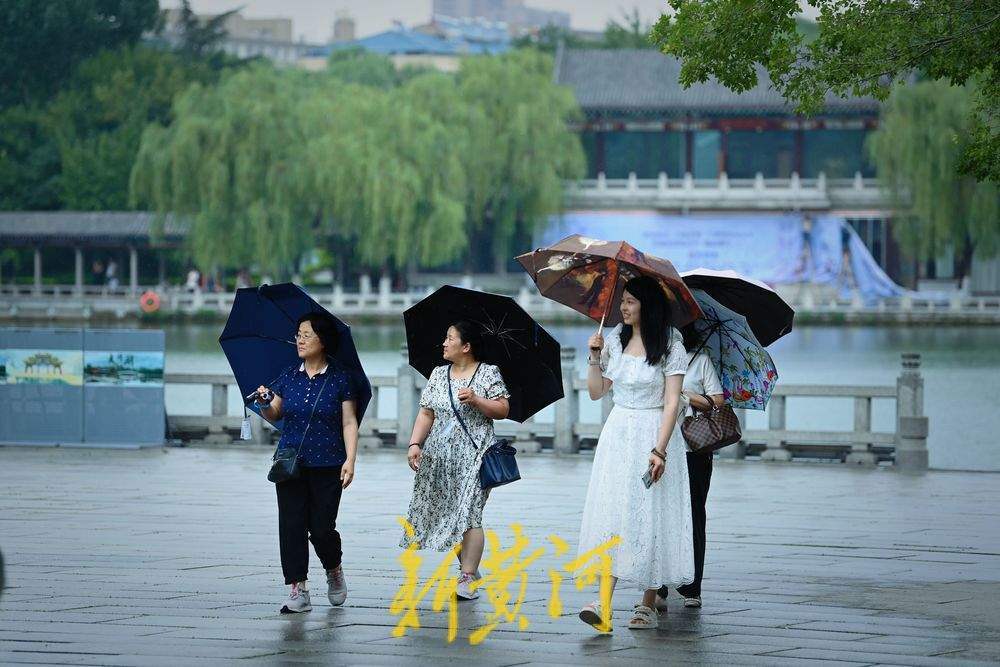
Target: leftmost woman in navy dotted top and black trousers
x,y
318,405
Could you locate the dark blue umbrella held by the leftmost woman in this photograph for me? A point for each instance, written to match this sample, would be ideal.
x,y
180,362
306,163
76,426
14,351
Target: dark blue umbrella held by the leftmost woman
x,y
259,340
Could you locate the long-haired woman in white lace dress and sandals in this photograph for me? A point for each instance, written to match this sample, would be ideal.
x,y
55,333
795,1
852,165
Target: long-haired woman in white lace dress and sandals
x,y
643,365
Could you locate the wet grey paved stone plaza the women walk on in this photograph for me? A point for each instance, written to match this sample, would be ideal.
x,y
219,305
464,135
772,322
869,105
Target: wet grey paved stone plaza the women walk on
x,y
170,557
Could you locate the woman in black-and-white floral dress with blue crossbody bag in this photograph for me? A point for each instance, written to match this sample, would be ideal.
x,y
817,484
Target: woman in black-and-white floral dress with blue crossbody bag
x,y
448,501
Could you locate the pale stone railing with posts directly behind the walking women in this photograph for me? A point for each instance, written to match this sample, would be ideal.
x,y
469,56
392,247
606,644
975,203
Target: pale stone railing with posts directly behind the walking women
x,y
566,433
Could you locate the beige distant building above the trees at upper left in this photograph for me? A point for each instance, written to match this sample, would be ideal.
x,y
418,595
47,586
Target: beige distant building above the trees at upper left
x,y
247,37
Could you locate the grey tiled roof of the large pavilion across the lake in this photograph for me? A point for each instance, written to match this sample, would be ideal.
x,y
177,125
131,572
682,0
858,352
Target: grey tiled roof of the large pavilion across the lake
x,y
645,80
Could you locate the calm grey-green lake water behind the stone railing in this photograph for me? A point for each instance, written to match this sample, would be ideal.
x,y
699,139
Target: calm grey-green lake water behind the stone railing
x,y
960,365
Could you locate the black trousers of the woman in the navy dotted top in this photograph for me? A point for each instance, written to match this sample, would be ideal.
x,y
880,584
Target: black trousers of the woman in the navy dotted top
x,y
307,511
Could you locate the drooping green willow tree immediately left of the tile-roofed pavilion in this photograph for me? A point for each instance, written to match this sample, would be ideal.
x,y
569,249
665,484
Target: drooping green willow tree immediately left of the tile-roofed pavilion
x,y
518,150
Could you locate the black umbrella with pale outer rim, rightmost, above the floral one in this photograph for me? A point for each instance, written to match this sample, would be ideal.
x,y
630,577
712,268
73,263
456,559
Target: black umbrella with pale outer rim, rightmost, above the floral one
x,y
768,315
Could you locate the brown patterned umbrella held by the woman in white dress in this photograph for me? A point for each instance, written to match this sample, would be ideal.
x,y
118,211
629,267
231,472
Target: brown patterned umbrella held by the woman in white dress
x,y
589,276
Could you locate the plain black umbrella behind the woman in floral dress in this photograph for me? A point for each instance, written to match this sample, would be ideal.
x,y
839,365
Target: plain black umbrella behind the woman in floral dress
x,y
527,356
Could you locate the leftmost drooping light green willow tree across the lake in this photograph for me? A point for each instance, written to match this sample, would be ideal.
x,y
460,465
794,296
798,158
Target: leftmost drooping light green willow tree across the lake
x,y
223,164
